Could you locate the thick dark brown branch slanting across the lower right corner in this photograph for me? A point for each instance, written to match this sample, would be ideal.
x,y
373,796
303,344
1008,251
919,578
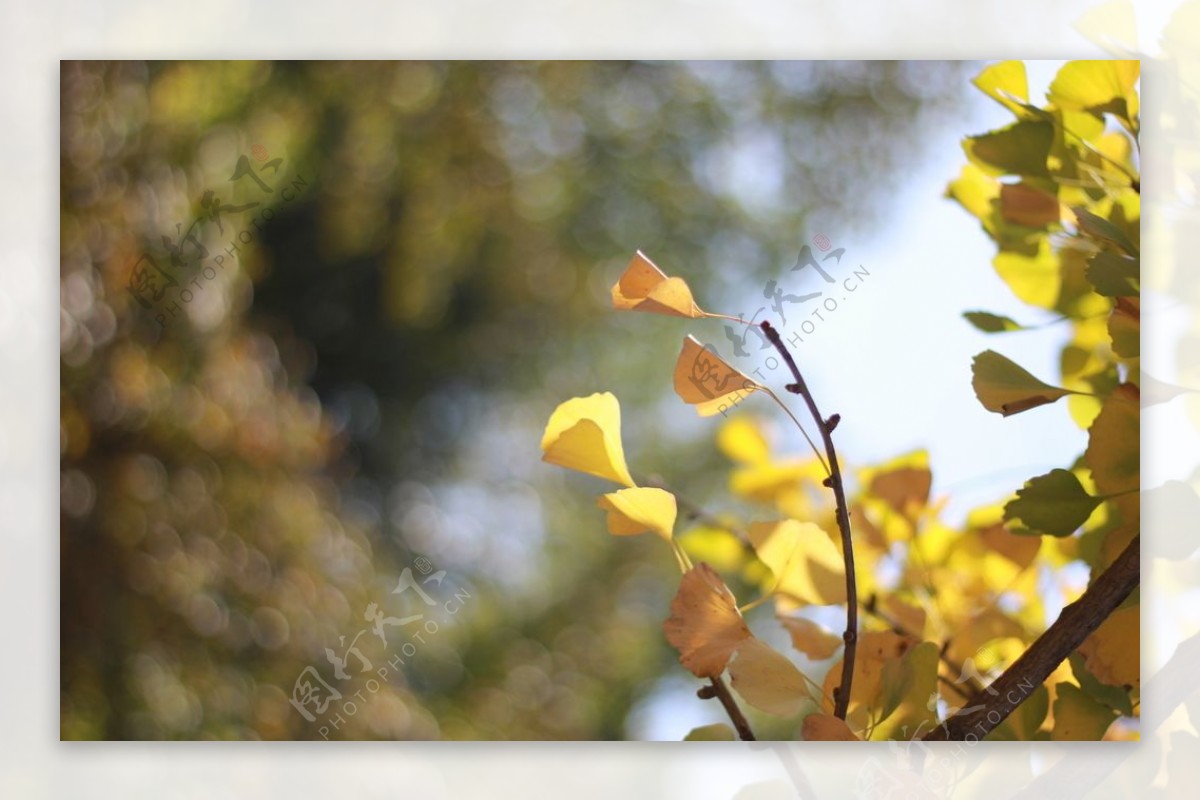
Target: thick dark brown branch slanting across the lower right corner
x,y
989,709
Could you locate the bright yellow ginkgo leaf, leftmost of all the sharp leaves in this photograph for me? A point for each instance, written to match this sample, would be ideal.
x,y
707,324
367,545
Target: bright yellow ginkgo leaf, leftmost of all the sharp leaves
x,y
585,435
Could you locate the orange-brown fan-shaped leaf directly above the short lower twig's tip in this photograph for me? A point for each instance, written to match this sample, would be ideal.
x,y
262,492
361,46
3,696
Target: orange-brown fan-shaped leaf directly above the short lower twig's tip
x,y
705,625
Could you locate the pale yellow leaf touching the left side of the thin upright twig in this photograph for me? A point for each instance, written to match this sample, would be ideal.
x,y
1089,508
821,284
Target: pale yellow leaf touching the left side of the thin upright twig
x,y
808,568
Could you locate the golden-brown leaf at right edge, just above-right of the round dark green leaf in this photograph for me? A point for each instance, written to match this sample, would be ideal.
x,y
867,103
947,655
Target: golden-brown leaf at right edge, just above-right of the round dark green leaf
x,y
1114,451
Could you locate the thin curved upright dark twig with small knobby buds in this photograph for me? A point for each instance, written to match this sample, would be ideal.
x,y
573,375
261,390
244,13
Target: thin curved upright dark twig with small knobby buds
x,y
842,695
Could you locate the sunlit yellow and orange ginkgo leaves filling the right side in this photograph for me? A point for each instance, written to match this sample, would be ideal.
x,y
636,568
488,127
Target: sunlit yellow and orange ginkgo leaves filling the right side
x,y
946,606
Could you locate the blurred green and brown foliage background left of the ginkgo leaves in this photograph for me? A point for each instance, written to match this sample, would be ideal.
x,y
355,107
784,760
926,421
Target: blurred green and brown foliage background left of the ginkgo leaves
x,y
365,381
